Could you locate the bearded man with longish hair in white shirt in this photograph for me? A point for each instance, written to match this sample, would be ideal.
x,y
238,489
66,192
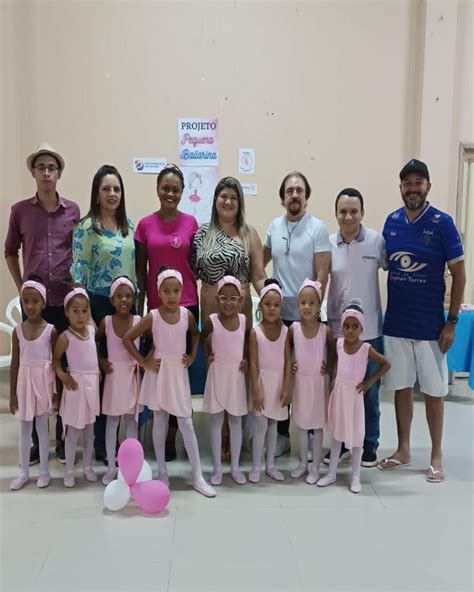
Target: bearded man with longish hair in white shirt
x,y
298,245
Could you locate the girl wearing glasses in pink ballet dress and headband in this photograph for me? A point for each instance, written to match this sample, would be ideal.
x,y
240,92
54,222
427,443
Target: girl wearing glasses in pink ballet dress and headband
x,y
224,336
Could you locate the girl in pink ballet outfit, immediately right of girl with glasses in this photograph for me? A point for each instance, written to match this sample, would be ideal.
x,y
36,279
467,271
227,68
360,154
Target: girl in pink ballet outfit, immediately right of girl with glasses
x,y
270,374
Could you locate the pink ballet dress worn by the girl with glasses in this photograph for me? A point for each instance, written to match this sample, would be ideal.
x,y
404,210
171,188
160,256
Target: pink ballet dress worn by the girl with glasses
x,y
225,383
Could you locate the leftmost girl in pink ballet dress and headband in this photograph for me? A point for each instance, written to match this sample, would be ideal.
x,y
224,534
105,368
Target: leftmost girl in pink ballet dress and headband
x,y
32,380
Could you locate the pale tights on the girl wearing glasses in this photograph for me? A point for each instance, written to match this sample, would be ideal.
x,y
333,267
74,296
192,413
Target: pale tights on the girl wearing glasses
x,y
235,428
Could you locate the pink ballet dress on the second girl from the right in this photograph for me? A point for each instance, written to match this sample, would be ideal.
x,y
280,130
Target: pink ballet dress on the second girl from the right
x,y
310,388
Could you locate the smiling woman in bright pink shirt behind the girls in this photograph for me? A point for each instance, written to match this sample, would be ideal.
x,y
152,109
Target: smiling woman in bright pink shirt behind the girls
x,y
165,238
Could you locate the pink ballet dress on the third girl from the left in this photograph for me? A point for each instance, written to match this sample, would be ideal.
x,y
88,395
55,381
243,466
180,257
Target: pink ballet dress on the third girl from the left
x,y
122,385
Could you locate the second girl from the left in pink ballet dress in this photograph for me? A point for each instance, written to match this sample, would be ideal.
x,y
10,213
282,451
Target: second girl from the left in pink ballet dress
x,y
80,399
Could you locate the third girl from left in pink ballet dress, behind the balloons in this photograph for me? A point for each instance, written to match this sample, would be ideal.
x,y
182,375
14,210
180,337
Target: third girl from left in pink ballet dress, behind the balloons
x,y
122,377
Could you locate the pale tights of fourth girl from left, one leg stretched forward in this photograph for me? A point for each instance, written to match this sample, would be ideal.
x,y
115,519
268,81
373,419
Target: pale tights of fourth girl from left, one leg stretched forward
x,y
160,430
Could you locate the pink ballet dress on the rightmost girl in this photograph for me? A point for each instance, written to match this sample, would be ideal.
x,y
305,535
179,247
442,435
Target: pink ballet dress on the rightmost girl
x,y
346,416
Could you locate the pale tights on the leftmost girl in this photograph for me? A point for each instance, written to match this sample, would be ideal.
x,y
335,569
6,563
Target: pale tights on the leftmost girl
x,y
26,427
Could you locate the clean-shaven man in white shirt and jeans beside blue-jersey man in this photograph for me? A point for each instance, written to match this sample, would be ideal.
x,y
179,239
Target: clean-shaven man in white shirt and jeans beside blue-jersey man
x,y
357,254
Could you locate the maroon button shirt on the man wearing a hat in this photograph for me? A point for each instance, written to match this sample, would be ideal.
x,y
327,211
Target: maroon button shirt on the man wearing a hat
x,y
45,239
